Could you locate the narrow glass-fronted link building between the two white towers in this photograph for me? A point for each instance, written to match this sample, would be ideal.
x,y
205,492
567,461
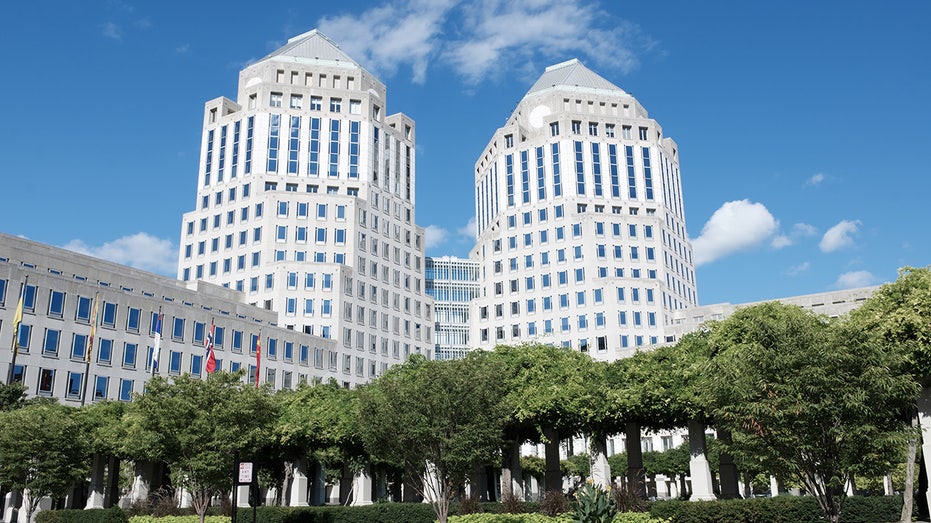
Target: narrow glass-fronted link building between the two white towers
x,y
453,283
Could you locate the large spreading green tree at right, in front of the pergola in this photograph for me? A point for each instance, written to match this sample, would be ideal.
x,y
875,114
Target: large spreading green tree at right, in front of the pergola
x,y
807,398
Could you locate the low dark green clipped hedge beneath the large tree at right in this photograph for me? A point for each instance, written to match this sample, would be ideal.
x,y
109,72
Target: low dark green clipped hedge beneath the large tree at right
x,y
781,509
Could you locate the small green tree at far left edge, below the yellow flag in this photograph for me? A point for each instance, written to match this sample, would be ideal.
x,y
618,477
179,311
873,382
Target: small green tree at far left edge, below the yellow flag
x,y
41,450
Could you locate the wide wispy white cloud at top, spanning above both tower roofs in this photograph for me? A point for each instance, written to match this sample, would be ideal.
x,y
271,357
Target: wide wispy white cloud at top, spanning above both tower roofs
x,y
485,38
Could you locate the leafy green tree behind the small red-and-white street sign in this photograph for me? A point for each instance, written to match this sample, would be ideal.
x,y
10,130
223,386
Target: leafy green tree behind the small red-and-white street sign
x,y
198,427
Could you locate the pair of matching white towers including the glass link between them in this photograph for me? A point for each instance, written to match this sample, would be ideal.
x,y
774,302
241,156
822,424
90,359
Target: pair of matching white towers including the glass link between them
x,y
306,200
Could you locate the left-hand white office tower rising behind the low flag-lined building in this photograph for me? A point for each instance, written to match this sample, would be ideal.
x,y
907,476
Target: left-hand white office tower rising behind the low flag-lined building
x,y
305,203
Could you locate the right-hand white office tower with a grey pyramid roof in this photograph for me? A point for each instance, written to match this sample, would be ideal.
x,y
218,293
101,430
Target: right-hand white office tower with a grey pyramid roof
x,y
581,232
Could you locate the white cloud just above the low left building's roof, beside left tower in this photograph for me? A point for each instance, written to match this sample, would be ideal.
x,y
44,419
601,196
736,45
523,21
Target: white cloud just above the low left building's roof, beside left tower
x,y
139,250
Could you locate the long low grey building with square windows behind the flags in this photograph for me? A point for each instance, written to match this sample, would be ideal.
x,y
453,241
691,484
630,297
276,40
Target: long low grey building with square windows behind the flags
x,y
60,290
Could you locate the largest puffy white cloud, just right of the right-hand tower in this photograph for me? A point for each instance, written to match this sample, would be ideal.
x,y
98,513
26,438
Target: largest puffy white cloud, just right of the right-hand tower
x,y
736,226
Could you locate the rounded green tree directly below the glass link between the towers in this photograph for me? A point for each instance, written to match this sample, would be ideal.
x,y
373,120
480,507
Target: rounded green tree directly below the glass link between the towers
x,y
439,419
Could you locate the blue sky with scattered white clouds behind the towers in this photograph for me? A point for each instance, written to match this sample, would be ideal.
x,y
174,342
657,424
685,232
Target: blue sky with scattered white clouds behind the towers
x,y
803,127
